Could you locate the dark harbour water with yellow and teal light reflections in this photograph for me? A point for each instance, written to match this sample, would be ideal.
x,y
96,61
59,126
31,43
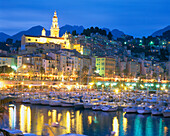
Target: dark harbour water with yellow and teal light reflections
x,y
34,118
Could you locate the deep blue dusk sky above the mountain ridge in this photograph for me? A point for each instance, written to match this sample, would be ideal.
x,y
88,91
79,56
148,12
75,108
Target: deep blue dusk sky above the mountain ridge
x,y
134,17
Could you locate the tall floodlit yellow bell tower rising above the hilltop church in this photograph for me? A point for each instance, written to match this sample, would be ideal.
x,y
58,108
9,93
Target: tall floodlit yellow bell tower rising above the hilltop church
x,y
55,28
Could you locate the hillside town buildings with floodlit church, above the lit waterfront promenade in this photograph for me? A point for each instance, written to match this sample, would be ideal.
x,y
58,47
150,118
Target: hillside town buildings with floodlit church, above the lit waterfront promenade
x,y
72,55
